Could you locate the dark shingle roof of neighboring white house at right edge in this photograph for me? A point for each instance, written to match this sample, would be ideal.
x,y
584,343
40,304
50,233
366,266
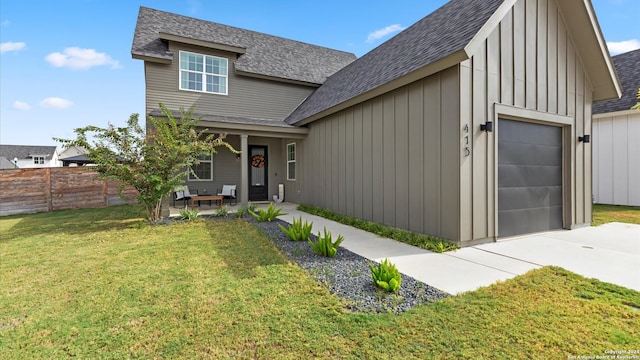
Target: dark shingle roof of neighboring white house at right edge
x,y
628,67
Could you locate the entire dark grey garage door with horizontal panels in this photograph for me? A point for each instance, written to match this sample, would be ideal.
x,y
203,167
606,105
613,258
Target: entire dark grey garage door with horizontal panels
x,y
529,177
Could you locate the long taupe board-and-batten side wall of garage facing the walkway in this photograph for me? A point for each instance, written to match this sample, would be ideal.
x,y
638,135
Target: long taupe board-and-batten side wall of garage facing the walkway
x,y
393,159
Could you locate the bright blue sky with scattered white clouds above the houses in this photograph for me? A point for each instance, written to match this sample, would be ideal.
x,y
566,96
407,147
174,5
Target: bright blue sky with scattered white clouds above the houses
x,y
67,64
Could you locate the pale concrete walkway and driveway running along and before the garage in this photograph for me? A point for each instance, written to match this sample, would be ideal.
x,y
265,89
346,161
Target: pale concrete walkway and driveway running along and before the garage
x,y
609,253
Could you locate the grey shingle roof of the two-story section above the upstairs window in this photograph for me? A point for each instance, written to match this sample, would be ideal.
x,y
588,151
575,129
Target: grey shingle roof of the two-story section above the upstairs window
x,y
261,54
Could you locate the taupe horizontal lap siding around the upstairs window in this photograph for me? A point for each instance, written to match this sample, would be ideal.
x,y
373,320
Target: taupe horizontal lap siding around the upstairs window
x,y
247,96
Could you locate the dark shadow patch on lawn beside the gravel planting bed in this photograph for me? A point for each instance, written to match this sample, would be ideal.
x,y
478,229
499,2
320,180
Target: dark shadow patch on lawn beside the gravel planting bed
x,y
243,247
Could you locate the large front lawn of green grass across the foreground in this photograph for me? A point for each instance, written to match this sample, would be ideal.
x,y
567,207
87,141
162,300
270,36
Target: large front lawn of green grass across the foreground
x,y
101,283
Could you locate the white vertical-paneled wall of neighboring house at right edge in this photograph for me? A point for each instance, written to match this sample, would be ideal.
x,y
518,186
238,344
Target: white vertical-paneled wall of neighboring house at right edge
x,y
616,160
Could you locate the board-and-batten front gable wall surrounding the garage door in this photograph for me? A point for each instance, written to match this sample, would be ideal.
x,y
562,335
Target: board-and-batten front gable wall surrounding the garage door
x,y
528,63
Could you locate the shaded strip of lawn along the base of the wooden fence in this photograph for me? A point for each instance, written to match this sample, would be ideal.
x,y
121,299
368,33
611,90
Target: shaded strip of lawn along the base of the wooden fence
x,y
71,222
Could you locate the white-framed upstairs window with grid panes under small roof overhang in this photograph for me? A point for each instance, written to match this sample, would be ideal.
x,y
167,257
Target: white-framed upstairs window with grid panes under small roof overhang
x,y
203,73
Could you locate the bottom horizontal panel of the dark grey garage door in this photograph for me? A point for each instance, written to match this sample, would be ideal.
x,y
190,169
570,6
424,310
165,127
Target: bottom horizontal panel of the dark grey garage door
x,y
526,221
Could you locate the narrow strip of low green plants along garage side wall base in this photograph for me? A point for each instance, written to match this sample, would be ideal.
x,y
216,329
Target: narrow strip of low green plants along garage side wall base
x,y
428,242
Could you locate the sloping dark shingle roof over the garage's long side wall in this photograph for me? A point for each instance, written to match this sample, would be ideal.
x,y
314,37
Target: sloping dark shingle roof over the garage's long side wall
x,y
442,33
